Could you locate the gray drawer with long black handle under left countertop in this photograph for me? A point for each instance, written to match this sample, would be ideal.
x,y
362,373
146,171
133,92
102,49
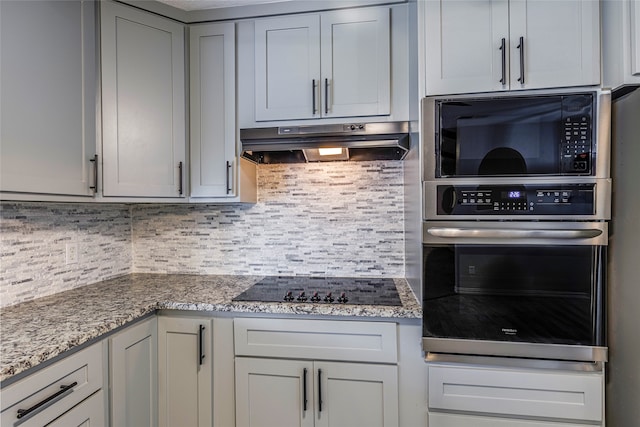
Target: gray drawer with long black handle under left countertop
x,y
84,368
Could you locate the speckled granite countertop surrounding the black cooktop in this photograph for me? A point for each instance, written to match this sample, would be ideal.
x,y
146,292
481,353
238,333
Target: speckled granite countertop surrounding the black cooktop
x,y
36,331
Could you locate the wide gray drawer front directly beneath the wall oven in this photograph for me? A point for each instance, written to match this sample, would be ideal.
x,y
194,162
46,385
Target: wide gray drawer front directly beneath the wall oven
x,y
536,393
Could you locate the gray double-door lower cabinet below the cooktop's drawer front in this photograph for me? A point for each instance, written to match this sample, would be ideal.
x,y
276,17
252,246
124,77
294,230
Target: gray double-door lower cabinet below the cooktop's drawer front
x,y
280,392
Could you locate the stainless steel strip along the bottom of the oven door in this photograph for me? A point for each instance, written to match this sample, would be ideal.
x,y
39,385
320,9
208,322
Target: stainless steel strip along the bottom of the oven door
x,y
515,349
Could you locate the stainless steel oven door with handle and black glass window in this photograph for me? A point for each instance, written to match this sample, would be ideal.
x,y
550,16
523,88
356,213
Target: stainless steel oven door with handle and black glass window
x,y
529,289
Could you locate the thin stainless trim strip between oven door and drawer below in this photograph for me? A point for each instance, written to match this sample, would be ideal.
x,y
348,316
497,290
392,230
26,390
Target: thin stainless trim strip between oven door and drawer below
x,y
511,362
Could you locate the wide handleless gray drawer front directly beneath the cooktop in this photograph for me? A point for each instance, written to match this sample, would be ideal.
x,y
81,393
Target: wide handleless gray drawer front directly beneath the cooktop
x,y
316,339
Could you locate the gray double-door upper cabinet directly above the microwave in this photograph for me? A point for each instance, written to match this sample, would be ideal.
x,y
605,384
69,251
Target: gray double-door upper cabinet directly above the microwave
x,y
493,45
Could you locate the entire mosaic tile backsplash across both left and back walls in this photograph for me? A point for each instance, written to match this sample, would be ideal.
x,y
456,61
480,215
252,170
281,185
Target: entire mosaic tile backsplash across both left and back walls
x,y
328,219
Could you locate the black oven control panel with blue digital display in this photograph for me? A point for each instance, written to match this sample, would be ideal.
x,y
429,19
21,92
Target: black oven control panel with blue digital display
x,y
528,199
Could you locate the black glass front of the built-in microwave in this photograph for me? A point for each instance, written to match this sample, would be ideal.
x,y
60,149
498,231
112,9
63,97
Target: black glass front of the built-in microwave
x,y
509,136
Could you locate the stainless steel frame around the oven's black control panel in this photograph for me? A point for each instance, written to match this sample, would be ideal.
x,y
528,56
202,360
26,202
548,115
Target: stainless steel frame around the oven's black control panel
x,y
602,198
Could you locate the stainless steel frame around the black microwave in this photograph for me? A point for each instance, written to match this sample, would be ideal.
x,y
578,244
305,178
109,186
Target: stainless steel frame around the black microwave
x,y
602,122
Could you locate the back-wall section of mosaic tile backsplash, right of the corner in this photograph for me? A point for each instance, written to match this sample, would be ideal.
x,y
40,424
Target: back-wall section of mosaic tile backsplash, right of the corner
x,y
333,219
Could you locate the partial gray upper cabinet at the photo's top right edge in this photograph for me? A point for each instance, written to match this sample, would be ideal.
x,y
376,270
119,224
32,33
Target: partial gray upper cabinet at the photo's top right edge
x,y
620,42
